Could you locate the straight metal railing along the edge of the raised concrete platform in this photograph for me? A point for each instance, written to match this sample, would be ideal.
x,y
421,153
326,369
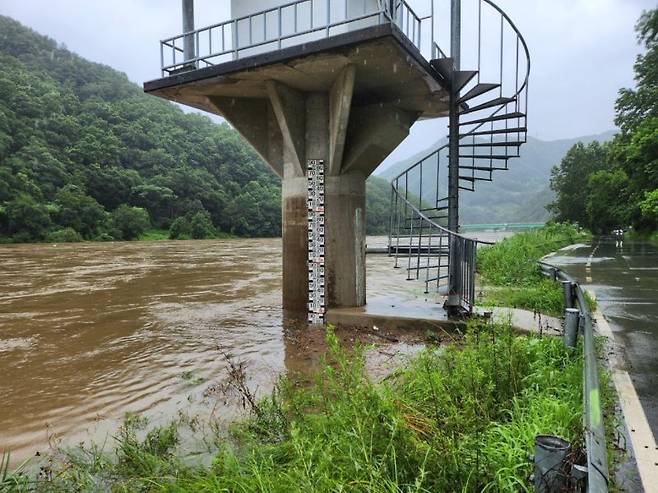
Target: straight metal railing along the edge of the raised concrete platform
x,y
285,25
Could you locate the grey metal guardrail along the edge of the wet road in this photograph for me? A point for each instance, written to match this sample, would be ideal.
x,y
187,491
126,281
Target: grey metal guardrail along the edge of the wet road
x,y
597,458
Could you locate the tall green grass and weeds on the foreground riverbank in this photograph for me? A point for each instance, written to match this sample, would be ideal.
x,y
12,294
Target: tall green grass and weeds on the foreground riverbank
x,y
457,418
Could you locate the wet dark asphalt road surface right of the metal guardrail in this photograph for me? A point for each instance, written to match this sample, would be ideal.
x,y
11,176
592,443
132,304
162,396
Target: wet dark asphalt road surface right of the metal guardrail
x,y
624,278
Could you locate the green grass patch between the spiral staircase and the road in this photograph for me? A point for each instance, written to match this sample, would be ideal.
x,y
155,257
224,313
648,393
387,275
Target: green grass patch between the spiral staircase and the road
x,y
510,275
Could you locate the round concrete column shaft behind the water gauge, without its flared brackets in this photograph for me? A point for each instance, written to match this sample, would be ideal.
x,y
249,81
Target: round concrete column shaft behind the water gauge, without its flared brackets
x,y
345,274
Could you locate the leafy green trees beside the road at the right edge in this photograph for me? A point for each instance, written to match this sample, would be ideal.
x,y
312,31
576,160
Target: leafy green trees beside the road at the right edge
x,y
615,185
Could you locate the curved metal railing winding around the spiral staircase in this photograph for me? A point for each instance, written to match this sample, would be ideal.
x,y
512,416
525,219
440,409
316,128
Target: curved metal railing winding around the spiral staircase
x,y
420,195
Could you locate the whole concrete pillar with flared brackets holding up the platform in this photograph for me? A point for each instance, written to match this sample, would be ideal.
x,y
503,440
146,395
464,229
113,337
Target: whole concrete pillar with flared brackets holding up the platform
x,y
291,127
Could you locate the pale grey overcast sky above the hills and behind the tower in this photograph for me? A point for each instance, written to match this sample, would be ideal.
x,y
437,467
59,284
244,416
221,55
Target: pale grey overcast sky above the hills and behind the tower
x,y
582,50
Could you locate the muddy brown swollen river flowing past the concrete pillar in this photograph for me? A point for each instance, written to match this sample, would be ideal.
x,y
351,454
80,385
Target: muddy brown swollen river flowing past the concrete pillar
x,y
91,331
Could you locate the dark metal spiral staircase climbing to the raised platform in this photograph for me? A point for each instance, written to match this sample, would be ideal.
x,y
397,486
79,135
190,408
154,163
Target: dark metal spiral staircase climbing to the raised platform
x,y
488,126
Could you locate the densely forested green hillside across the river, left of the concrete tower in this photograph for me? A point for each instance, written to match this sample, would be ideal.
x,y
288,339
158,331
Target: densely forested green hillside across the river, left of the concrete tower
x,y
86,155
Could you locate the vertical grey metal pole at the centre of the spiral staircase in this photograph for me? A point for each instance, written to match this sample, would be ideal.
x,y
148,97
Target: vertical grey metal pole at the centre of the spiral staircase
x,y
454,281
